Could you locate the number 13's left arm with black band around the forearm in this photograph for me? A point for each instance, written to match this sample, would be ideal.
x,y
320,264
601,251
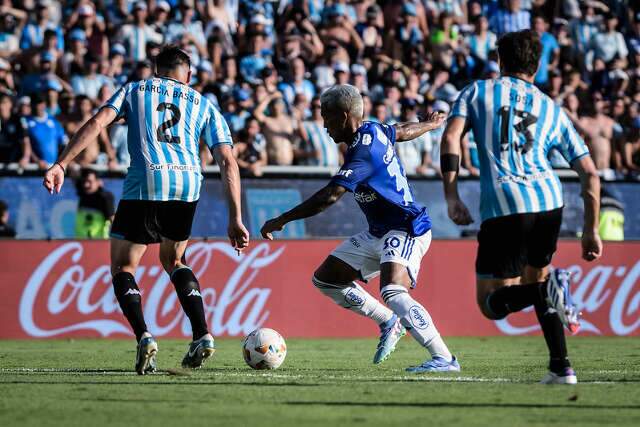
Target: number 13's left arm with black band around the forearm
x,y
450,163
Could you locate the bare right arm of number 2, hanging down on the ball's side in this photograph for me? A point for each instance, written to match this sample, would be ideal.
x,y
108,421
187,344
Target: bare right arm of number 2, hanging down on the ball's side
x,y
230,175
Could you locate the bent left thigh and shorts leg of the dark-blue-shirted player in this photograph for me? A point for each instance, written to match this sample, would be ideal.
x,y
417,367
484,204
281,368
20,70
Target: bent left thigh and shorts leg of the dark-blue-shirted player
x,y
356,258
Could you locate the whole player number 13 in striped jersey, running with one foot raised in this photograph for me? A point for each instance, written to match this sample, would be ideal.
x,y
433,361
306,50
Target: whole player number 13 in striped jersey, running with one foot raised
x,y
515,127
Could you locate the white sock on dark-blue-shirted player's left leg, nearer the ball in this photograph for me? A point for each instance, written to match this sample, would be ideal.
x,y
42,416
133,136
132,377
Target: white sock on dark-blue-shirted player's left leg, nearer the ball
x,y
353,297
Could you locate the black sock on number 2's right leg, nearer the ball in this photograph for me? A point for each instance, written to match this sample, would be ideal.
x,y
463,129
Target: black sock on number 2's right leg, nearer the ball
x,y
188,290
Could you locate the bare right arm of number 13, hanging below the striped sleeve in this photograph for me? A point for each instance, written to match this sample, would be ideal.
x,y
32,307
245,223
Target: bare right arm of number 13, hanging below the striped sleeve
x,y
590,183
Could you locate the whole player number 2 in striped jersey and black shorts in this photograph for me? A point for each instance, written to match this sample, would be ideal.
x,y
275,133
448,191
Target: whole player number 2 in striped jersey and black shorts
x,y
166,120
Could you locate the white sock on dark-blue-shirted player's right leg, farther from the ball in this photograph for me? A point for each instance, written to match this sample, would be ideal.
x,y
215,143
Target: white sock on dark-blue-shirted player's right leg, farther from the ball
x,y
416,319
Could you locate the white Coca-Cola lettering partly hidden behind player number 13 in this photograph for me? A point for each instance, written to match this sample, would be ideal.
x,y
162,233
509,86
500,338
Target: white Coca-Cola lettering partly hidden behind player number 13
x,y
594,290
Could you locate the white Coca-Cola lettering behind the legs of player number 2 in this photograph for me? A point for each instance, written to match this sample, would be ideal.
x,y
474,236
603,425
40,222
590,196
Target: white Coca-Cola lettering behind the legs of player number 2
x,y
236,306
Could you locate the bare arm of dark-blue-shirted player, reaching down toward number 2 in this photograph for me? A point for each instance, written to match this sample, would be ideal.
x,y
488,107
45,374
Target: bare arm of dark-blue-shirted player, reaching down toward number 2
x,y
315,204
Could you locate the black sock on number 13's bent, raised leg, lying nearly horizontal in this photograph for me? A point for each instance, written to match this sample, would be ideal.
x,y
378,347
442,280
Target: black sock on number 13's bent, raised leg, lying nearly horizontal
x,y
511,299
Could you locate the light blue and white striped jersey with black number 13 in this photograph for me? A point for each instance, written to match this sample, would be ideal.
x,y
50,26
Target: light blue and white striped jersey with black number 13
x,y
515,127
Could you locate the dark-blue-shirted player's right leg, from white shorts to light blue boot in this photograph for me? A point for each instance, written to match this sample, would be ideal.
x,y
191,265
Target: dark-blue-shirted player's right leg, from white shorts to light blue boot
x,y
400,258
